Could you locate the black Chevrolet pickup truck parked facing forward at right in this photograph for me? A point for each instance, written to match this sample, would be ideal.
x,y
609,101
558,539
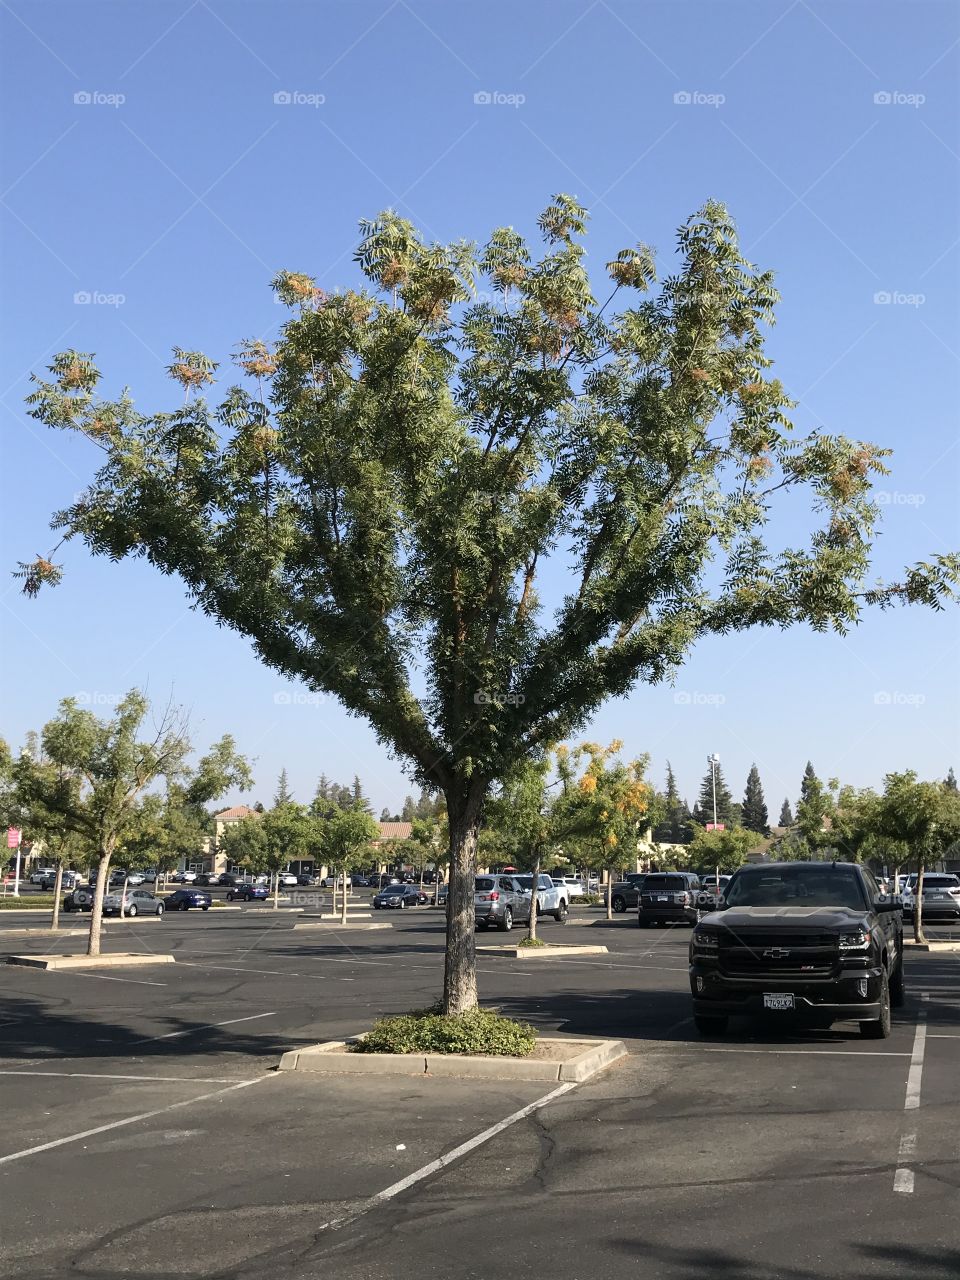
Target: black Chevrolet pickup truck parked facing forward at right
x,y
816,940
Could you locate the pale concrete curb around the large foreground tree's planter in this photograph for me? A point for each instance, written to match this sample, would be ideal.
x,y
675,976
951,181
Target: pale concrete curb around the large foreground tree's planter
x,y
587,1059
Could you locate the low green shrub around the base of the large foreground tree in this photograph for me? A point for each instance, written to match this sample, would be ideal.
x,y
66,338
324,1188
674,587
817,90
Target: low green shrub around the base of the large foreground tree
x,y
479,1031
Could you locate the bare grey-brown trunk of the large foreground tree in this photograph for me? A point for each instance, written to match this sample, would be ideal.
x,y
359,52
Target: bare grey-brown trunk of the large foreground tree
x,y
460,961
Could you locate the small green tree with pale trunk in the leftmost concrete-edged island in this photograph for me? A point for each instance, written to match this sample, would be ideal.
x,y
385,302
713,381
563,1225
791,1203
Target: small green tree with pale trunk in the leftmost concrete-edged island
x,y
100,770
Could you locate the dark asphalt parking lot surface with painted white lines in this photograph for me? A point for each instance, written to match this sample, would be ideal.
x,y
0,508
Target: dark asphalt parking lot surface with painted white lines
x,y
164,1145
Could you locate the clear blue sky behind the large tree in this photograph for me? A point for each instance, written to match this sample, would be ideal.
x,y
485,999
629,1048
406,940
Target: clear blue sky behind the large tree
x,y
189,195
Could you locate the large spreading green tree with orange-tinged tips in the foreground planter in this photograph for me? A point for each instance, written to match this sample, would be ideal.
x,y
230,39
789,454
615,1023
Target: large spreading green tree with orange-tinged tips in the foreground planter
x,y
377,510
